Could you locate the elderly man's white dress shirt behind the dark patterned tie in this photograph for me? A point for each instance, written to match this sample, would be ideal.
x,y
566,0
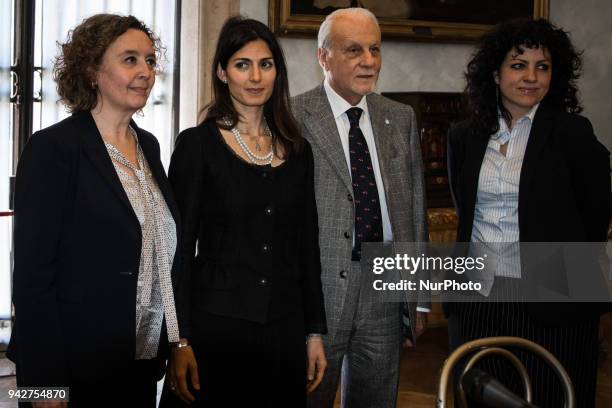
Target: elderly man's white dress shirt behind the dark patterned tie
x,y
339,107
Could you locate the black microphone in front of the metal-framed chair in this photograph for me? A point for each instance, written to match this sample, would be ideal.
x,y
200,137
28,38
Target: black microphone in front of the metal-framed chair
x,y
482,388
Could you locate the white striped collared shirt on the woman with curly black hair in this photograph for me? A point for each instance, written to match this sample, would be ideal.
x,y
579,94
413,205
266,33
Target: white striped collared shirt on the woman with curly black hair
x,y
496,209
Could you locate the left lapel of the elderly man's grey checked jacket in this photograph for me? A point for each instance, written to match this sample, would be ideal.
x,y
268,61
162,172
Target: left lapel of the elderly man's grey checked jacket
x,y
322,127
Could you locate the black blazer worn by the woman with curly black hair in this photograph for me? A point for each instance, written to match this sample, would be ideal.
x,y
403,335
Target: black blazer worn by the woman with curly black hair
x,y
563,191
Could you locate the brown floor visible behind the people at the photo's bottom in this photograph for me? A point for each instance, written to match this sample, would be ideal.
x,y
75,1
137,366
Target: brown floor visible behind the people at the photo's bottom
x,y
420,370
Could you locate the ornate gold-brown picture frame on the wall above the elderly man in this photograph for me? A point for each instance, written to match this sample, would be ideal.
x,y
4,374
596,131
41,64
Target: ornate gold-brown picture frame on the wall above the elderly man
x,y
283,23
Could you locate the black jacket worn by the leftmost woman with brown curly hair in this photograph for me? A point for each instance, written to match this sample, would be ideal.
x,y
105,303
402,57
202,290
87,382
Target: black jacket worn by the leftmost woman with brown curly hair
x,y
77,254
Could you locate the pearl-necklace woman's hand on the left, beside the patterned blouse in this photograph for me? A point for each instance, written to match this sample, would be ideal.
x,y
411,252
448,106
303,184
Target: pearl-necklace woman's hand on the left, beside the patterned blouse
x,y
182,363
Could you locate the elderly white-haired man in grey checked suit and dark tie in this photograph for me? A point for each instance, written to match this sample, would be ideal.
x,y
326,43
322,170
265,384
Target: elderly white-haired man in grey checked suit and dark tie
x,y
369,188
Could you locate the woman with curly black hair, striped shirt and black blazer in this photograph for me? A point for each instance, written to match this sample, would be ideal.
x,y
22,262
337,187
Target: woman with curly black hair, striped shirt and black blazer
x,y
525,167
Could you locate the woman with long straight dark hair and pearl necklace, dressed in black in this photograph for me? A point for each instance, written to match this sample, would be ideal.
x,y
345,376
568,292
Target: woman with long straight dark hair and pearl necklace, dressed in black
x,y
250,303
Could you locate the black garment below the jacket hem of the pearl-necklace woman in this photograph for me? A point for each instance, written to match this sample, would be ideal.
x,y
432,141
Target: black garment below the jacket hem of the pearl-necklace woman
x,y
242,363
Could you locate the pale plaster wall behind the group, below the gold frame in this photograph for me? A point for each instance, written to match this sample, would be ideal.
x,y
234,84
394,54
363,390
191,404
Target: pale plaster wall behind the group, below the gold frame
x,y
409,66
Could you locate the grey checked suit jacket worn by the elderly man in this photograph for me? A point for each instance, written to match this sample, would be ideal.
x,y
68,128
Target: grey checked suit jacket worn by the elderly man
x,y
399,154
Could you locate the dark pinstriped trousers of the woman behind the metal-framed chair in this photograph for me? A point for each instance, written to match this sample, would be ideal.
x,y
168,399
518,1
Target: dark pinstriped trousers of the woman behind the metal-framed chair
x,y
576,347
